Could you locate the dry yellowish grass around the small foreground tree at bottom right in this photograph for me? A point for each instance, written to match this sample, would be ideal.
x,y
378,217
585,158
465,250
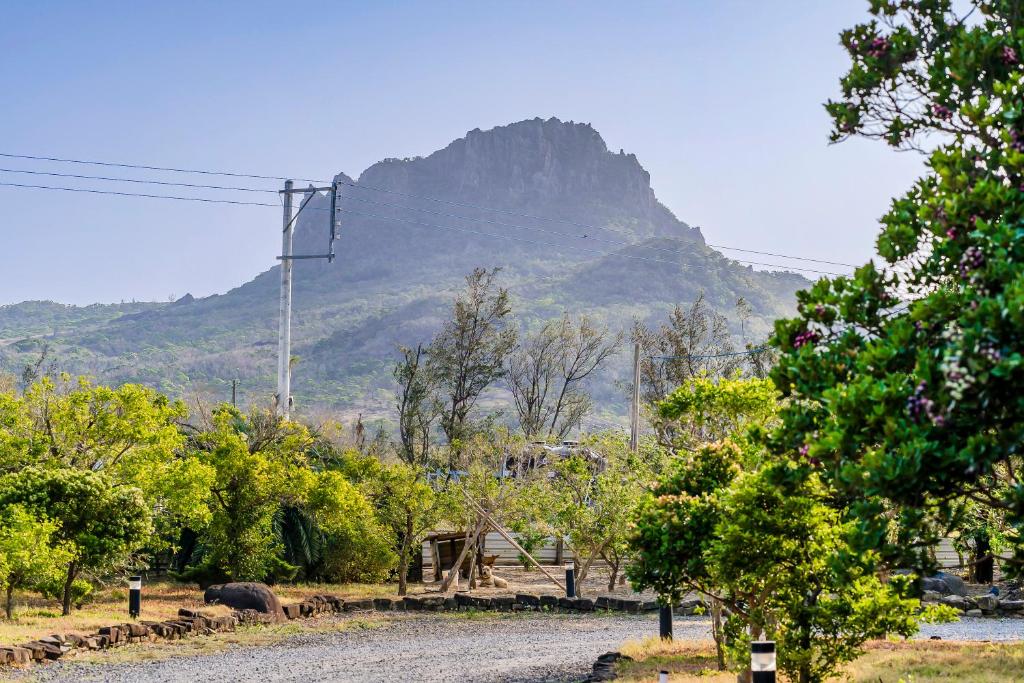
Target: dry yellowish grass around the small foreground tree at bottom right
x,y
912,662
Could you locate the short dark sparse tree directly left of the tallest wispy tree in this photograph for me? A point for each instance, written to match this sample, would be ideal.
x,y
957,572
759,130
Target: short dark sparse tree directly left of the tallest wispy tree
x,y
416,404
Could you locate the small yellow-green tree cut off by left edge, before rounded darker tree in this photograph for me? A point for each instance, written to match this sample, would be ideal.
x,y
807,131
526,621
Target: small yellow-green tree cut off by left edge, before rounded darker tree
x,y
29,554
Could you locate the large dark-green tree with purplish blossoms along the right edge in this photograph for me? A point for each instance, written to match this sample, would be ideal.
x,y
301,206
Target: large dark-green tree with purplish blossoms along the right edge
x,y
905,378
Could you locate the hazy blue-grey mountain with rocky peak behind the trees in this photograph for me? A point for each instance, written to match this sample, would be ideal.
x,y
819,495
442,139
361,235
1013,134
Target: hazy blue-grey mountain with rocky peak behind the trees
x,y
401,260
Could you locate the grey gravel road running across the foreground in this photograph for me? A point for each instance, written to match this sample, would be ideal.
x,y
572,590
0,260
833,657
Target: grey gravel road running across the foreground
x,y
508,648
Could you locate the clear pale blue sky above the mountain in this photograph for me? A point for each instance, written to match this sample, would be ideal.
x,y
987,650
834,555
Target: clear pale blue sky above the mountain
x,y
721,102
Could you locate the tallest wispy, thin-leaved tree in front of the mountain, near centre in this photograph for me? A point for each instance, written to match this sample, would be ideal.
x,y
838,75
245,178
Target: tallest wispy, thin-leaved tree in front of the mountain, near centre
x,y
468,355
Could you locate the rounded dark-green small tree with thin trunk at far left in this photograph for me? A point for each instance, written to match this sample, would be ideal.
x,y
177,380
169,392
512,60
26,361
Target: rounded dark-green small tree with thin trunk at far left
x,y
100,523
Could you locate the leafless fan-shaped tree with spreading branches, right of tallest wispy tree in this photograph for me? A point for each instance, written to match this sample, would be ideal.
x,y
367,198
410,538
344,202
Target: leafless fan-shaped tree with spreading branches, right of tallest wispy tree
x,y
547,371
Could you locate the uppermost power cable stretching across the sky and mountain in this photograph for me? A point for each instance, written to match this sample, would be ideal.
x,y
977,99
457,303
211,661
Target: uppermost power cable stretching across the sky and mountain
x,y
411,196
